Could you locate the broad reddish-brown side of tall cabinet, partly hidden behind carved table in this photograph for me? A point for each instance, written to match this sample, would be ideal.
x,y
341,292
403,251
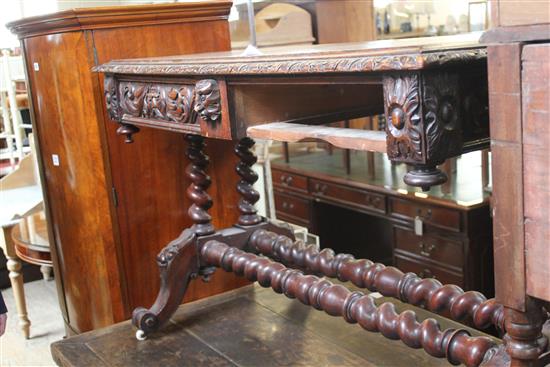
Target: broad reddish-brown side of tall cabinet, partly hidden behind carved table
x,y
149,175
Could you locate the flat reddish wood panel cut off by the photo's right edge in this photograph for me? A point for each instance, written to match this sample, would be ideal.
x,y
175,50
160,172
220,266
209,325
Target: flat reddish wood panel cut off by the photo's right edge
x,y
536,163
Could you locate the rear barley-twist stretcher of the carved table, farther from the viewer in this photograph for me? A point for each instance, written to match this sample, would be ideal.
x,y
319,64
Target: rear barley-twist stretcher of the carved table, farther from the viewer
x,y
389,281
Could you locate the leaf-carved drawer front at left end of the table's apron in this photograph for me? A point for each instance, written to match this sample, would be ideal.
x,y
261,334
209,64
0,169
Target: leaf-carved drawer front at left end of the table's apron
x,y
162,105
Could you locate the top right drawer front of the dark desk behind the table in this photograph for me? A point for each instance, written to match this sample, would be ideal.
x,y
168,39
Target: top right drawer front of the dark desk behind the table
x,y
437,216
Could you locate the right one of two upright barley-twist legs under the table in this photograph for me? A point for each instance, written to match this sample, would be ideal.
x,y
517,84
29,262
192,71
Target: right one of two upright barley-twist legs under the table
x,y
245,187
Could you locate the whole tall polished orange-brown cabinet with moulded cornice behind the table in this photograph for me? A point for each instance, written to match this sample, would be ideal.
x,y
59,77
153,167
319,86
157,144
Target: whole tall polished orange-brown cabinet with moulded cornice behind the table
x,y
113,206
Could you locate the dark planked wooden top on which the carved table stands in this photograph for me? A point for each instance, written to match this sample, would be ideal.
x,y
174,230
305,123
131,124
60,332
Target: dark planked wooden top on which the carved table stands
x,y
247,327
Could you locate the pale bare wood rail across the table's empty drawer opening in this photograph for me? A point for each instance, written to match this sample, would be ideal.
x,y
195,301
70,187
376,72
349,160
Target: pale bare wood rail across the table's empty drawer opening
x,y
374,141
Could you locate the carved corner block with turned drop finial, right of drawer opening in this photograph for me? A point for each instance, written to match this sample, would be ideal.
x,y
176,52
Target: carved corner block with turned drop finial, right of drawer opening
x,y
427,113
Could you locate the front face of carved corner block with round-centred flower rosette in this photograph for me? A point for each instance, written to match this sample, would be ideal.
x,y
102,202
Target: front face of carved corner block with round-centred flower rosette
x,y
403,115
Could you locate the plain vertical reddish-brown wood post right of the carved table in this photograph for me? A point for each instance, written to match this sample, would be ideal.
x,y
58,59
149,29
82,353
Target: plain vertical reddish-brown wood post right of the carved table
x,y
507,199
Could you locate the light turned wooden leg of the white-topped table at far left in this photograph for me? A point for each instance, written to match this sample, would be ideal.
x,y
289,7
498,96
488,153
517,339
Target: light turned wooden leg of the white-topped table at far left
x,y
16,279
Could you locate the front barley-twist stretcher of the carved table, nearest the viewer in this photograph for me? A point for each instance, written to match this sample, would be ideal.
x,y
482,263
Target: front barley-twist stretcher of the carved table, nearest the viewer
x,y
355,307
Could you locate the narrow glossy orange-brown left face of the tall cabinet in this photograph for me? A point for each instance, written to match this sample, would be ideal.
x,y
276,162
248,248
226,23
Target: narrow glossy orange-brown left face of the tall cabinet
x,y
77,189
